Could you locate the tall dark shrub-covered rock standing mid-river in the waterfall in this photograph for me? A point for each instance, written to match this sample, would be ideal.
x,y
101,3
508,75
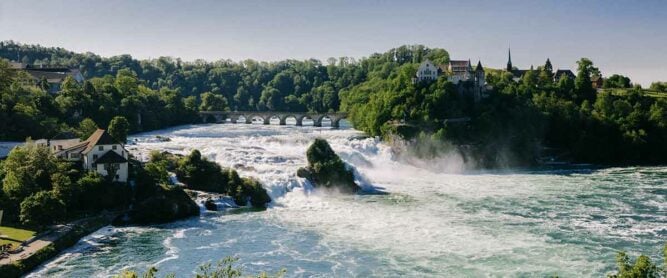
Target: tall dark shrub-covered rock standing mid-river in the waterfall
x,y
326,169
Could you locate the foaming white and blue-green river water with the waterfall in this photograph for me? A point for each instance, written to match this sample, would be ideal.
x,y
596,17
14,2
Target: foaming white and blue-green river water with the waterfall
x,y
568,222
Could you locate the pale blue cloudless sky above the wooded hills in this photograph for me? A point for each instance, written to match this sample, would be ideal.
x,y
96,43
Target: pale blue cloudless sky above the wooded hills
x,y
625,37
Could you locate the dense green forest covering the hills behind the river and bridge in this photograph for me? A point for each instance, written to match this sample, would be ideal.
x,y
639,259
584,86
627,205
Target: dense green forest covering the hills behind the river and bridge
x,y
517,123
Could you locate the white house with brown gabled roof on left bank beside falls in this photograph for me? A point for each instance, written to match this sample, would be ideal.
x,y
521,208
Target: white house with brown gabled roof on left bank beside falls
x,y
100,153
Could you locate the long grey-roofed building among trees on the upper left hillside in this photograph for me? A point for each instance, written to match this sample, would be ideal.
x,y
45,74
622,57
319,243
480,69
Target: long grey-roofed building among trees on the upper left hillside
x,y
54,76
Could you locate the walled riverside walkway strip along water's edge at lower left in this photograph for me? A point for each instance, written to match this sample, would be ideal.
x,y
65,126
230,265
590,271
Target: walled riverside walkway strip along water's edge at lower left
x,y
50,244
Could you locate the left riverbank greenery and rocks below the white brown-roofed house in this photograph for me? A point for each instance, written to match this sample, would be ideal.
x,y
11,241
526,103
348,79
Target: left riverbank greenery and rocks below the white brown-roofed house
x,y
64,203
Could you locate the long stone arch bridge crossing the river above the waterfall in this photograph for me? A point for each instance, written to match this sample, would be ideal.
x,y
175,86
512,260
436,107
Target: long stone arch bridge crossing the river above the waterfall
x,y
266,116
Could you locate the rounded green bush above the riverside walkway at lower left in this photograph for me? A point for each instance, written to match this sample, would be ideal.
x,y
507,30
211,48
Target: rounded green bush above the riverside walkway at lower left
x,y
41,209
